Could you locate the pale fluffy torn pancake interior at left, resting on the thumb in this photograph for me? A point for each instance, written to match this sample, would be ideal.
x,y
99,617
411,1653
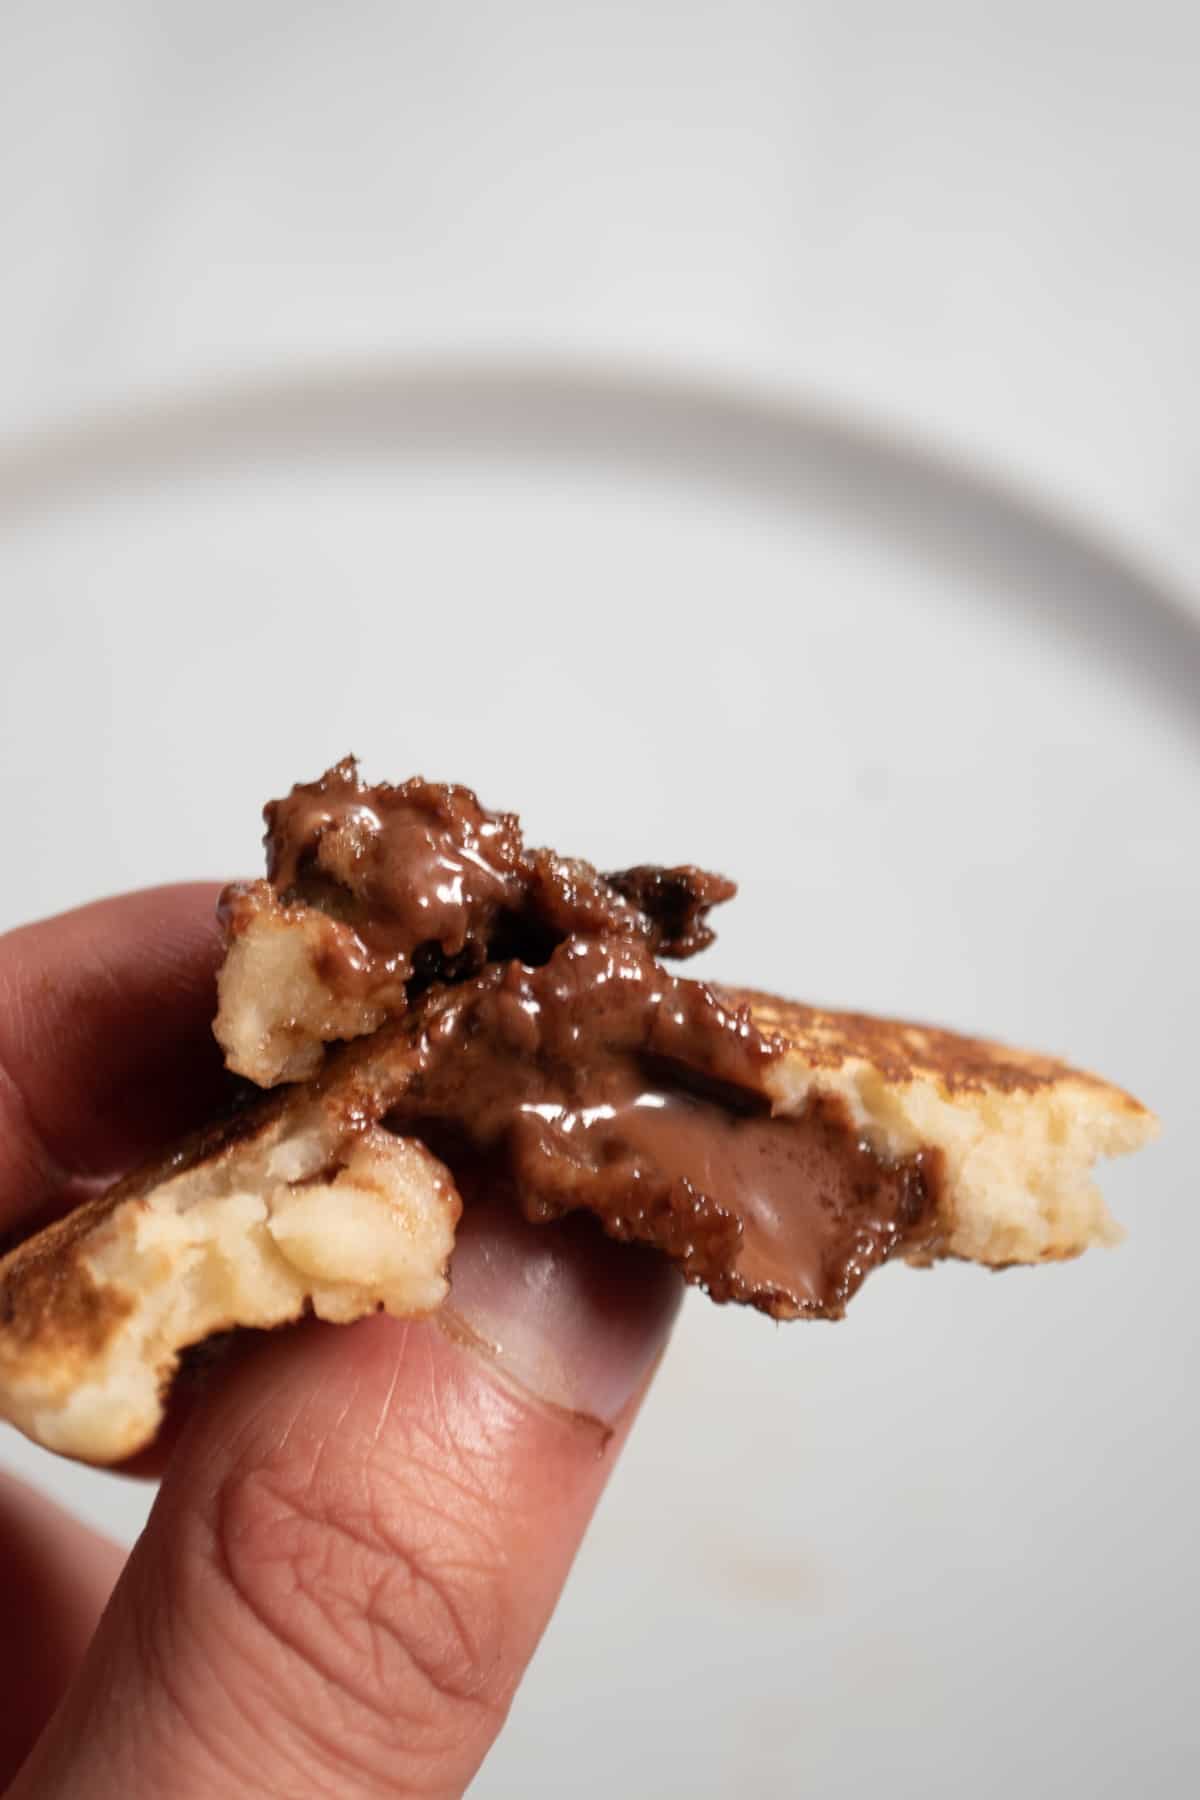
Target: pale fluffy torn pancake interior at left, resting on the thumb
x,y
96,1311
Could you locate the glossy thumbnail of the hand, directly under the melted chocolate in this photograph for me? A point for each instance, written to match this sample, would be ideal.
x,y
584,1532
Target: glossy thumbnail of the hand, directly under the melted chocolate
x,y
566,1313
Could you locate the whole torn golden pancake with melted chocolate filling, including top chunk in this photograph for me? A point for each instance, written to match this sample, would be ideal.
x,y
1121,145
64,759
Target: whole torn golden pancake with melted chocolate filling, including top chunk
x,y
506,1020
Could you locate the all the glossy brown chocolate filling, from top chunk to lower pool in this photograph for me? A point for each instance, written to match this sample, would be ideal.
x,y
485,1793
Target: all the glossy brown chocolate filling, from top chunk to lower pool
x,y
553,1056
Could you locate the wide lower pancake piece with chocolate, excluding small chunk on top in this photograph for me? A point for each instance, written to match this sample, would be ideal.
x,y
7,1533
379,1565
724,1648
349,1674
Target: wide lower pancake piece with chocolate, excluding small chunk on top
x,y
775,1153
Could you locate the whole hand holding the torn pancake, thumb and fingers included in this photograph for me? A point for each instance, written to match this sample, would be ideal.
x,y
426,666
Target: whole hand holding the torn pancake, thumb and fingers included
x,y
361,1531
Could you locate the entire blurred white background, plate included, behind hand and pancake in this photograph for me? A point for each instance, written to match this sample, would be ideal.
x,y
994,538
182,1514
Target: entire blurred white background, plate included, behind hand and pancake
x,y
757,435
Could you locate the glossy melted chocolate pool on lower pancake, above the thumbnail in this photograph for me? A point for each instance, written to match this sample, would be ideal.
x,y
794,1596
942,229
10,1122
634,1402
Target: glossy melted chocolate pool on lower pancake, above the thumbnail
x,y
602,1083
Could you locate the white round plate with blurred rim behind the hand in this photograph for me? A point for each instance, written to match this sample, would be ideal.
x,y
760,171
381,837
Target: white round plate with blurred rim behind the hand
x,y
953,753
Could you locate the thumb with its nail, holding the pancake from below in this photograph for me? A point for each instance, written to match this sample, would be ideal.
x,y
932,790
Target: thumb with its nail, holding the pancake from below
x,y
363,1534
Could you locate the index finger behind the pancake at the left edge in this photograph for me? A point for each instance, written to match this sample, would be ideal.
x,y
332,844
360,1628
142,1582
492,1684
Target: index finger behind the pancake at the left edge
x,y
105,1041
